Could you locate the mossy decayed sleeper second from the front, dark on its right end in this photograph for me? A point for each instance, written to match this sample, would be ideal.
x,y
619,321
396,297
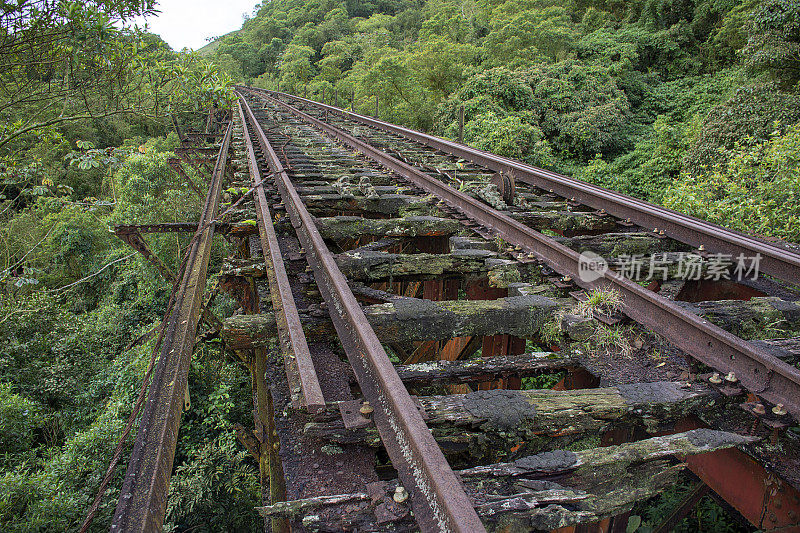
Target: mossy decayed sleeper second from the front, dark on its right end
x,y
488,424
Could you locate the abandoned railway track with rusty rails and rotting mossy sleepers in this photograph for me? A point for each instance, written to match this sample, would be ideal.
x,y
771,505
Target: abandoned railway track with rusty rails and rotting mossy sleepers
x,y
407,302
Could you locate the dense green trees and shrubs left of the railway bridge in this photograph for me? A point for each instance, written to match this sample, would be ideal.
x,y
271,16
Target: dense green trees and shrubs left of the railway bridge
x,y
86,103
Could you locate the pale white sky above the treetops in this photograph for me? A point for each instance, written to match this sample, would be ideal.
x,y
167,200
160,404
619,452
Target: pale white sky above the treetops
x,y
187,23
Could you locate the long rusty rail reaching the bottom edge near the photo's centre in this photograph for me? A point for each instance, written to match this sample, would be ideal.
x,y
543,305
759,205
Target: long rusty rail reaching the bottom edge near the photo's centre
x,y
438,500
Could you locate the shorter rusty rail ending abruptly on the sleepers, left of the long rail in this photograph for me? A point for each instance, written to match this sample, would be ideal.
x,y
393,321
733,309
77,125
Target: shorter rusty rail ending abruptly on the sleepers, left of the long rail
x,y
296,355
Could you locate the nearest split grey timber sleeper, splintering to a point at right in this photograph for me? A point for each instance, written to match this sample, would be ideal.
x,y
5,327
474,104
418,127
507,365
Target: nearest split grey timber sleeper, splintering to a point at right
x,y
540,492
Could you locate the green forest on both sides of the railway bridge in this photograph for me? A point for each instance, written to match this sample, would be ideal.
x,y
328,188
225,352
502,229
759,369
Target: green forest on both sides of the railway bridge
x,y
693,104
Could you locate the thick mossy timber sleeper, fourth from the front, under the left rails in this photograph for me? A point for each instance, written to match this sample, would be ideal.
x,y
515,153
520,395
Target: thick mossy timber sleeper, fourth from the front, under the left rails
x,y
412,319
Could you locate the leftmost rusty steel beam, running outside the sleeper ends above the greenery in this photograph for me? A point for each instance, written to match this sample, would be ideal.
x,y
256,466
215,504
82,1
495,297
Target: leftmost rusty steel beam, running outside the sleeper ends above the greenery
x,y
143,499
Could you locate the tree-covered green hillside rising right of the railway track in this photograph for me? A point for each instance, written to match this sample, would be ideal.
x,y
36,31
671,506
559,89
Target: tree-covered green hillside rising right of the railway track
x,y
689,103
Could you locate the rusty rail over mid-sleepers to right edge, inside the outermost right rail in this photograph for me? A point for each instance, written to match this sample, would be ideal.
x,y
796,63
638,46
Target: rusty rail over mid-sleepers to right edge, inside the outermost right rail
x,y
760,372
